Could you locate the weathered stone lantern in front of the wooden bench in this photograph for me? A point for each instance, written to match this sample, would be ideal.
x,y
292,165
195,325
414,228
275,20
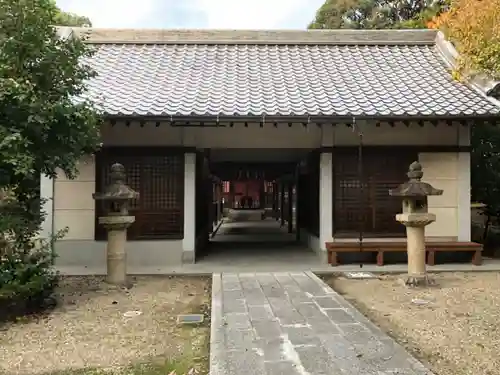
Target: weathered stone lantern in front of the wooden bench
x,y
415,217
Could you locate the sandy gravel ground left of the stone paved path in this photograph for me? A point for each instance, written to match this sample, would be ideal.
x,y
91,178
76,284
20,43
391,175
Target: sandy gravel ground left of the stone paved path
x,y
89,329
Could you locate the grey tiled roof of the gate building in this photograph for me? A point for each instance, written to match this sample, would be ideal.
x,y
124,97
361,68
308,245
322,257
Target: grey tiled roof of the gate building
x,y
282,78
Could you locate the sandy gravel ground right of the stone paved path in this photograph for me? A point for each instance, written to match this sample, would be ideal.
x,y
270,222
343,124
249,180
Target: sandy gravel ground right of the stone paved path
x,y
454,327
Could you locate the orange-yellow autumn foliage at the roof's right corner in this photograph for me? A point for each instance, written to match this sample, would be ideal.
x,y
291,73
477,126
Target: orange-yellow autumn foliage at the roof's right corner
x,y
474,27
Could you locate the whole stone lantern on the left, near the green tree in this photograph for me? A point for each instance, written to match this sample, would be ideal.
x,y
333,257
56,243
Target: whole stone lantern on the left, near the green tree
x,y
116,197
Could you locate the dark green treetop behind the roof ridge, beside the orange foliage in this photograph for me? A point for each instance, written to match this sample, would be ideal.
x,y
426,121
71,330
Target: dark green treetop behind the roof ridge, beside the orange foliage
x,y
376,14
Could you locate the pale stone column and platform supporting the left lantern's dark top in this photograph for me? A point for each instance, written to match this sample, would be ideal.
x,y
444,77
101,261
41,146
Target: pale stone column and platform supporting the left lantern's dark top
x,y
116,256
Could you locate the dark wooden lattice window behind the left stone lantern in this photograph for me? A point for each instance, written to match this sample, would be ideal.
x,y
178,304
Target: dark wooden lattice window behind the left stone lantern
x,y
158,175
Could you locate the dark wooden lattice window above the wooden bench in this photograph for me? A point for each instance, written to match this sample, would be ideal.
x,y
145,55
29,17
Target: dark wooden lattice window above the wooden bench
x,y
362,203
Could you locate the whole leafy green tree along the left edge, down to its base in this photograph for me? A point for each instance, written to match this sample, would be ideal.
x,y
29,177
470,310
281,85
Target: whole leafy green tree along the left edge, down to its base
x,y
42,129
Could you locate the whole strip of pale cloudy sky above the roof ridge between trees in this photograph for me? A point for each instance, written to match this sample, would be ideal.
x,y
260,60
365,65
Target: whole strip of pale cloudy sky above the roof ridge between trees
x,y
220,14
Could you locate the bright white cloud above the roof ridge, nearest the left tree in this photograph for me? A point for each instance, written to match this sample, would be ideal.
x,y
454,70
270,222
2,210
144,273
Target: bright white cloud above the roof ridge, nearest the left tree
x,y
111,13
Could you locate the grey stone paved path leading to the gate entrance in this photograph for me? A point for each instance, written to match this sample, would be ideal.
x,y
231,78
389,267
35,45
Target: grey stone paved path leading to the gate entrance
x,y
294,324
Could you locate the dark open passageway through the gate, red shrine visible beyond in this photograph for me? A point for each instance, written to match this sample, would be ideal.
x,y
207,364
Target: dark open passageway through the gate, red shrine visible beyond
x,y
254,196
